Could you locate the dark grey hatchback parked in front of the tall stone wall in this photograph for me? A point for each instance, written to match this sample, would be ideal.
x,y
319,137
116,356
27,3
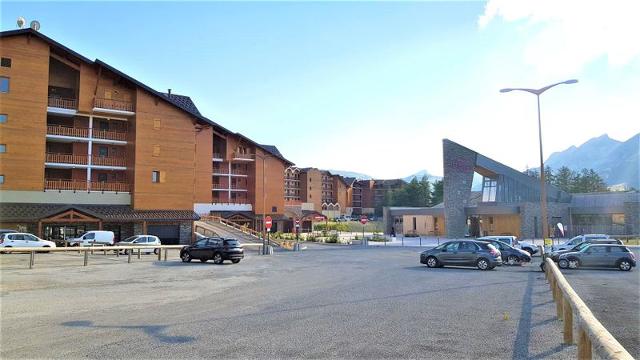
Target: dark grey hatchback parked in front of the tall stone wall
x,y
463,252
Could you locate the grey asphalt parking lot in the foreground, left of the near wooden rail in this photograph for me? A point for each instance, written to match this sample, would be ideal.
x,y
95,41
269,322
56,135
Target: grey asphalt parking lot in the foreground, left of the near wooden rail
x,y
325,302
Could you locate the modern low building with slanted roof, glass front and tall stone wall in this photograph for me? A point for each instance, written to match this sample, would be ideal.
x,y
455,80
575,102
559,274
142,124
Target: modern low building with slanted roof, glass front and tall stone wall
x,y
509,204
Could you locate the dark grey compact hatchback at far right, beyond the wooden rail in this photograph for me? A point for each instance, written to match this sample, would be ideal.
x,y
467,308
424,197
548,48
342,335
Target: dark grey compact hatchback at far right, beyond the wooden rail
x,y
599,255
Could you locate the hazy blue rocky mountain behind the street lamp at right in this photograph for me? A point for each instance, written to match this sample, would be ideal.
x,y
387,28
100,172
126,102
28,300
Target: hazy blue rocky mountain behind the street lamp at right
x,y
616,161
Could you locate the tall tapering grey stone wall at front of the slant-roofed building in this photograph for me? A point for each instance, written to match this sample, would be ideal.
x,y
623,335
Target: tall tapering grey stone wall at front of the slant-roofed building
x,y
458,163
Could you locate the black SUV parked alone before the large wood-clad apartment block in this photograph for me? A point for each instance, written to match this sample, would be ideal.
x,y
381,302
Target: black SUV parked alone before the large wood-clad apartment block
x,y
216,249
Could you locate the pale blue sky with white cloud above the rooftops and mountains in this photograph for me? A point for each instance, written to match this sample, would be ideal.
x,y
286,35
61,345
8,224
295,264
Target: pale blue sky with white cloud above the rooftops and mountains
x,y
374,87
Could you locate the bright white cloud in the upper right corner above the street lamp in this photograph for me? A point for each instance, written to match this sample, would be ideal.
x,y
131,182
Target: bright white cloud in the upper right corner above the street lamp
x,y
562,37
